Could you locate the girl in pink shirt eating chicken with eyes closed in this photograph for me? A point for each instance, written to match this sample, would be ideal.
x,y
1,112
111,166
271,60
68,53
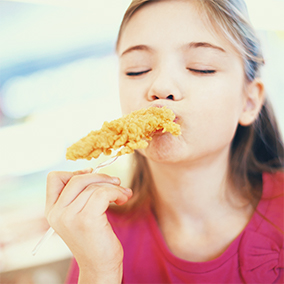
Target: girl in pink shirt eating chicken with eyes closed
x,y
204,207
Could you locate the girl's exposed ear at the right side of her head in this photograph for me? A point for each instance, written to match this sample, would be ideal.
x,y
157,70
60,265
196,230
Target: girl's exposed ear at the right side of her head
x,y
253,101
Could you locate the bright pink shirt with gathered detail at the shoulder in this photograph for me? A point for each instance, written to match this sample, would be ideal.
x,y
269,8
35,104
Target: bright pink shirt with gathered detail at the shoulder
x,y
255,256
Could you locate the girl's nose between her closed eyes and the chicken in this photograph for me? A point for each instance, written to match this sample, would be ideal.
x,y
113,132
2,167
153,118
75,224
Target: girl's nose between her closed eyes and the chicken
x,y
165,86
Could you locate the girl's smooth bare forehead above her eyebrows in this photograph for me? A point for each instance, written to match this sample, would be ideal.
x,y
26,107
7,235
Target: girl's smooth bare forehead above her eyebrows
x,y
168,24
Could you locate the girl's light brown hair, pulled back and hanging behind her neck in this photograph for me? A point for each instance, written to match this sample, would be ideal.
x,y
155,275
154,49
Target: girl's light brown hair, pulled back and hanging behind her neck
x,y
255,148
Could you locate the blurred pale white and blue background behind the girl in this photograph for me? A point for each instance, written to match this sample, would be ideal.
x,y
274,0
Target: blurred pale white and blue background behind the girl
x,y
58,81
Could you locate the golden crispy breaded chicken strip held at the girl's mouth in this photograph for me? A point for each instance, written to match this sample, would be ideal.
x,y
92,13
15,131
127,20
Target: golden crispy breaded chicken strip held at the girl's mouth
x,y
130,131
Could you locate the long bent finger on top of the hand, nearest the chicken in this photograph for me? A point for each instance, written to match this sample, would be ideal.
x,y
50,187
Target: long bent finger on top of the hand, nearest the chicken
x,y
78,183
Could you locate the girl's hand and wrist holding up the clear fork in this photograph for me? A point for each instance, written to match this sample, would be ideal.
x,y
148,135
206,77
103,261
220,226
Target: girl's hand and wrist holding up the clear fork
x,y
76,203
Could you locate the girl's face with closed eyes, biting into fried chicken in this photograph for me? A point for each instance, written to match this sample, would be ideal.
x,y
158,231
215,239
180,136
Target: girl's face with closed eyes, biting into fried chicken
x,y
169,56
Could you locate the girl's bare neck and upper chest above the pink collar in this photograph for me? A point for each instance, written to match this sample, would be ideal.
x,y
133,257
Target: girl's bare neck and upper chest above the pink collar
x,y
195,209
